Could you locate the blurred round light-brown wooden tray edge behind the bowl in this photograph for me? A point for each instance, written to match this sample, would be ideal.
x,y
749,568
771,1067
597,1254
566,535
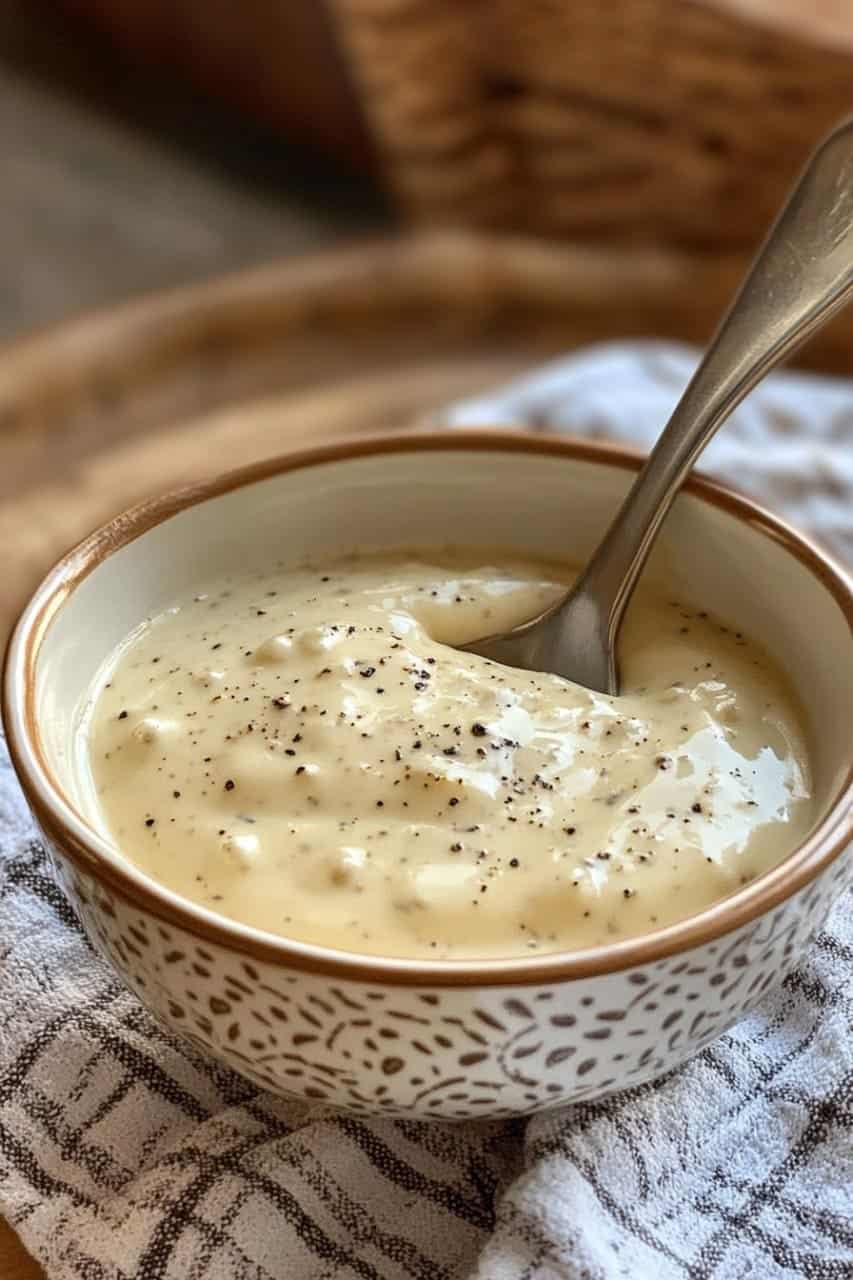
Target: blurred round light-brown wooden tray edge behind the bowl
x,y
120,405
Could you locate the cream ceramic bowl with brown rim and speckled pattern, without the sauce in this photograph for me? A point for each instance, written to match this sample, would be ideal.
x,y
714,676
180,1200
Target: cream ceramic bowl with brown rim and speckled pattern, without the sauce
x,y
434,1039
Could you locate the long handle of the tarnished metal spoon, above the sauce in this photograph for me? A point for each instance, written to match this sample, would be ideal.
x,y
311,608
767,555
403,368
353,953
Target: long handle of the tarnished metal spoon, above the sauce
x,y
802,275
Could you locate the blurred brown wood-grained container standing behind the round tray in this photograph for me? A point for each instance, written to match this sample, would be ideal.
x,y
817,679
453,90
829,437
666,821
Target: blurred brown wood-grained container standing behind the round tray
x,y
631,121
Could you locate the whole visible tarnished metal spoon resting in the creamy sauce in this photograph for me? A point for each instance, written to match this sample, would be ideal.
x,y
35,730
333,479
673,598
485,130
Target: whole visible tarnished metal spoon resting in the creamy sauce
x,y
801,277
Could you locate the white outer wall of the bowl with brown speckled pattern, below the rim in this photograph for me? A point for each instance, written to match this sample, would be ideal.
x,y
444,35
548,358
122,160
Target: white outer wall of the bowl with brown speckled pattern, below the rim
x,y
445,1053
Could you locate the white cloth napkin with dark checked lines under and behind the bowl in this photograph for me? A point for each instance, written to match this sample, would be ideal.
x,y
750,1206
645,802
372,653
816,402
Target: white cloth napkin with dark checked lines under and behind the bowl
x,y
126,1155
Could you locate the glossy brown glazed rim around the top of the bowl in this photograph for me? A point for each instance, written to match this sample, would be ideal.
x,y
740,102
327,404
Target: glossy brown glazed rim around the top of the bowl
x,y
93,854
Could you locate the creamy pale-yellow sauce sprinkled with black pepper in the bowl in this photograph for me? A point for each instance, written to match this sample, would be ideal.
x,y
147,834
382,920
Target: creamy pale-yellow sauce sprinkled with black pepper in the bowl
x,y
303,752
